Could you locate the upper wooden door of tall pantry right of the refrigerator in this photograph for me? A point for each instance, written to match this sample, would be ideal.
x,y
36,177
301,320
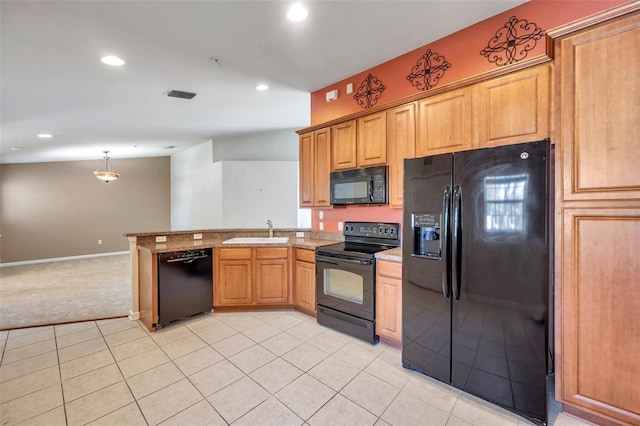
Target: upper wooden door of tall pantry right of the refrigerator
x,y
599,118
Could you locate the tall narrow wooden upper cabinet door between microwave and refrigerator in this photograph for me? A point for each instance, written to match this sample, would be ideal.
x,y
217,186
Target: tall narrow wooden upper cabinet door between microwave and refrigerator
x,y
401,144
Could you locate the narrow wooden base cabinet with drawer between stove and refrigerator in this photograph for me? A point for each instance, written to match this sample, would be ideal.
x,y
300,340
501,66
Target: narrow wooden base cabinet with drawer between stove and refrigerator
x,y
389,301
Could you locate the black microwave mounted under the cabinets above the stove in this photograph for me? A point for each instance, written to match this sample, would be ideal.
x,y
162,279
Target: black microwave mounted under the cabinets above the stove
x,y
367,185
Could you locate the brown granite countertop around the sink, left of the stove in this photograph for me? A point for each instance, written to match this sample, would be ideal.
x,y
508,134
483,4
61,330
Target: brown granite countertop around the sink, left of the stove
x,y
306,243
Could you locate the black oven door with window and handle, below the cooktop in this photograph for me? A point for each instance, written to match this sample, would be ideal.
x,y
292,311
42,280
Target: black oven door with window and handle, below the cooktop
x,y
346,285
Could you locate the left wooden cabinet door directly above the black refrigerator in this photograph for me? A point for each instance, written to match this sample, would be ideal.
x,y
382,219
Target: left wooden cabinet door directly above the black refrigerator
x,y
445,123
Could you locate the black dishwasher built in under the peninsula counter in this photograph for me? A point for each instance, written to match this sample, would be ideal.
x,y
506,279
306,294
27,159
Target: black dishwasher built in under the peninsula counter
x,y
185,284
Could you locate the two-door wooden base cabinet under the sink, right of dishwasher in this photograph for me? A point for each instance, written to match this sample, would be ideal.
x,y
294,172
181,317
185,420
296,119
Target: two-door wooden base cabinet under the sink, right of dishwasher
x,y
252,276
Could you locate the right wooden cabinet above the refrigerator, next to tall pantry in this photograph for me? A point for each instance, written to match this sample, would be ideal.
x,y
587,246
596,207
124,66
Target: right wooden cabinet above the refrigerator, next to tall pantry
x,y
514,108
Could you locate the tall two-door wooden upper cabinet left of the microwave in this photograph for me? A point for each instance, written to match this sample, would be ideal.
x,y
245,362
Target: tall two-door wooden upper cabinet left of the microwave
x,y
315,166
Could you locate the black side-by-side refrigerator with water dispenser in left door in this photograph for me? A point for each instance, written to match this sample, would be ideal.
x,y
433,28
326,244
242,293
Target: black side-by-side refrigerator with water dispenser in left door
x,y
475,278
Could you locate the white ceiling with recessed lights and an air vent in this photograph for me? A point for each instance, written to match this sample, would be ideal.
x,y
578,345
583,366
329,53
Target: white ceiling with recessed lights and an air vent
x,y
53,82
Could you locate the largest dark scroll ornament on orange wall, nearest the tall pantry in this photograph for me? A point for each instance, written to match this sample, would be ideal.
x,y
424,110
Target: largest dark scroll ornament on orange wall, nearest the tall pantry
x,y
512,42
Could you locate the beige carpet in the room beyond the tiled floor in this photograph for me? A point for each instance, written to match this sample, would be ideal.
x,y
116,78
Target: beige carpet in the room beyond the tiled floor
x,y
65,291
